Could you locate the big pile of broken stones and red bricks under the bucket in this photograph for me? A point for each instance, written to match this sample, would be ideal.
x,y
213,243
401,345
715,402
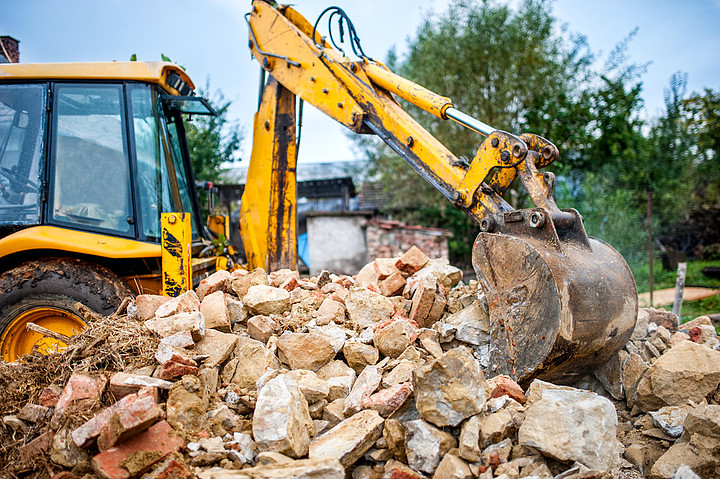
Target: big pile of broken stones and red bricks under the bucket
x,y
380,375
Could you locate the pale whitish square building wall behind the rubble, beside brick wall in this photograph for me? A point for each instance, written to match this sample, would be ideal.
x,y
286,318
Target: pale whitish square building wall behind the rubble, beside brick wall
x,y
337,243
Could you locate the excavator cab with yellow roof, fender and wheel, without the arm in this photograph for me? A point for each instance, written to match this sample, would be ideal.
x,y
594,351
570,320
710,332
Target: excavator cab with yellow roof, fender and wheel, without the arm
x,y
91,155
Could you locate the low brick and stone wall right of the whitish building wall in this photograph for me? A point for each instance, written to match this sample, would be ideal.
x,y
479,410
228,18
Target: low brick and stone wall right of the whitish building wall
x,y
387,239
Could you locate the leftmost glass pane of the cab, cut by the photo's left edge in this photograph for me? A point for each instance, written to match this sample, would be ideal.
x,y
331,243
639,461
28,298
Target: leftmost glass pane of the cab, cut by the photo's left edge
x,y
22,125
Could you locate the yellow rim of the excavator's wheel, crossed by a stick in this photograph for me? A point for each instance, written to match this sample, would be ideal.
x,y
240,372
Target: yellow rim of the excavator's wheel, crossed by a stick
x,y
17,341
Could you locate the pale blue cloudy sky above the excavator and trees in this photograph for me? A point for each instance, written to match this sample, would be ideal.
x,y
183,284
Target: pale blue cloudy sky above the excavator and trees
x,y
209,38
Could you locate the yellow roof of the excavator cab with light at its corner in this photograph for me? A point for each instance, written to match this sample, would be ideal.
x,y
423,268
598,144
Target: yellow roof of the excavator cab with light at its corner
x,y
154,72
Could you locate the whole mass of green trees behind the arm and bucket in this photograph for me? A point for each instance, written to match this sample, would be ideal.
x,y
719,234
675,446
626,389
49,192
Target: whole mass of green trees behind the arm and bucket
x,y
512,69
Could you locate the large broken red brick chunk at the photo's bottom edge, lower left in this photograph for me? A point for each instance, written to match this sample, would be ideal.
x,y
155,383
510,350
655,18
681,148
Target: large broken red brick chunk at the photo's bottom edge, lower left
x,y
135,456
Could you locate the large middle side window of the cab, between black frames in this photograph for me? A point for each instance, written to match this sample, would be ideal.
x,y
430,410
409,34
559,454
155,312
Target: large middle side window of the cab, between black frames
x,y
90,165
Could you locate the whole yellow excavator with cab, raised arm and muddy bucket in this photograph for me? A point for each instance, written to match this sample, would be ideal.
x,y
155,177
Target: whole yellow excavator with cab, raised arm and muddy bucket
x,y
560,302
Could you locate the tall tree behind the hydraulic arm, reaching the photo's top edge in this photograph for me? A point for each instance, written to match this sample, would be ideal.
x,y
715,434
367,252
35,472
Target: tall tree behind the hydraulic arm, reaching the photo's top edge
x,y
508,68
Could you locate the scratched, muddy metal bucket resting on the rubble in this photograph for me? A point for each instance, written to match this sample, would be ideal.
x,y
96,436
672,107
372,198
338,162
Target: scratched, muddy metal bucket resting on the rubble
x,y
560,303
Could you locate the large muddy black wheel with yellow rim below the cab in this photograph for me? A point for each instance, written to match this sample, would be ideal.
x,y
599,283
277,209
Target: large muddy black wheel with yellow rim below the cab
x,y
44,292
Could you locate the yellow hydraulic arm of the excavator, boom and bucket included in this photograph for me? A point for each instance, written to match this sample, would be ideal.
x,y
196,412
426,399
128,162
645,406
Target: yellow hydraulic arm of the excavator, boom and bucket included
x,y
560,302
